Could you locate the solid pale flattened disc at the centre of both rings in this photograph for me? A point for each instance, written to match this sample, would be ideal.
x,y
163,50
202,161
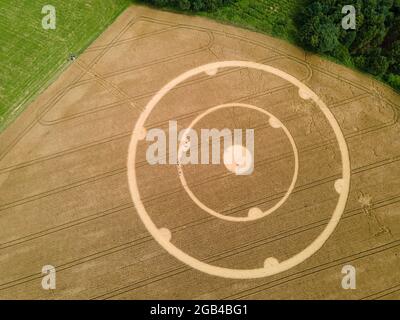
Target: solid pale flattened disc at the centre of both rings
x,y
238,159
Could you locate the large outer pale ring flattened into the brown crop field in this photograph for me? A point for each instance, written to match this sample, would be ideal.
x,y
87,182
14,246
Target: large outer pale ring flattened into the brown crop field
x,y
271,267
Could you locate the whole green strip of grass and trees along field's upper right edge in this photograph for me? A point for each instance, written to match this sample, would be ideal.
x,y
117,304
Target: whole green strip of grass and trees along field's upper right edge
x,y
374,46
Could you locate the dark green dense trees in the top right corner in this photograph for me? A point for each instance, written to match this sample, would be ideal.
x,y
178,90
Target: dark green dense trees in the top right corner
x,y
374,46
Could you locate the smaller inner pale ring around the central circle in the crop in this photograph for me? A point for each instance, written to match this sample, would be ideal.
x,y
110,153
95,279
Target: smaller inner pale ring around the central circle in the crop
x,y
254,213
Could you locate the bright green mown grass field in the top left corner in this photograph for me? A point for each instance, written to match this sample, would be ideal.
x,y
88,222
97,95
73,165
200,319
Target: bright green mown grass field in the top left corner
x,y
31,56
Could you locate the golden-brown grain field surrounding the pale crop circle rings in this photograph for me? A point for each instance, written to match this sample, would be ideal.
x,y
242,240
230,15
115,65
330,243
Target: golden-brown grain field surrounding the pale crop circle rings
x,y
65,201
